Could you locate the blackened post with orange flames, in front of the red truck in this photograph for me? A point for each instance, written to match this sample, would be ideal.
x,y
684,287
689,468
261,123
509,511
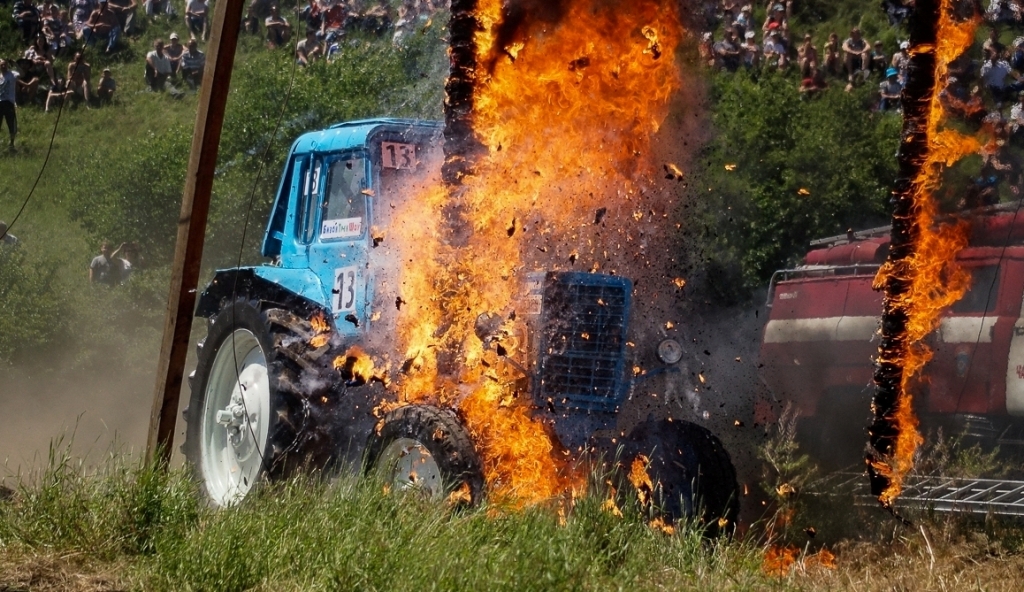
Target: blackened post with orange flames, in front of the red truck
x,y
920,277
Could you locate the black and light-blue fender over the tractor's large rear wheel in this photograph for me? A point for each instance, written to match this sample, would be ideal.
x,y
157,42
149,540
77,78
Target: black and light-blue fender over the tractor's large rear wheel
x,y
298,291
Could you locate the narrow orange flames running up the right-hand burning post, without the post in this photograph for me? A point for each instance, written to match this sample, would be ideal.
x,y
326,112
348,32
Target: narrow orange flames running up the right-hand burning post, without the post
x,y
936,280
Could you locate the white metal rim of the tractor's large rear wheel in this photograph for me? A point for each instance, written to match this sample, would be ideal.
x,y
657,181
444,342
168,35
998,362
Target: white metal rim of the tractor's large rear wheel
x,y
236,418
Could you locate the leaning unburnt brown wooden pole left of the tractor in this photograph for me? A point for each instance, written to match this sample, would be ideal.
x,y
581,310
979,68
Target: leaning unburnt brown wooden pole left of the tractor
x,y
192,227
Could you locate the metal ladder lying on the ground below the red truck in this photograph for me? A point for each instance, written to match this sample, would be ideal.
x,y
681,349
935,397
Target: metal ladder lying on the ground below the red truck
x,y
999,497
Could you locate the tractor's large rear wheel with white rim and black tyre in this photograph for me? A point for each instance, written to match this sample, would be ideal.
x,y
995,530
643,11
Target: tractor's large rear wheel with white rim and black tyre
x,y
240,421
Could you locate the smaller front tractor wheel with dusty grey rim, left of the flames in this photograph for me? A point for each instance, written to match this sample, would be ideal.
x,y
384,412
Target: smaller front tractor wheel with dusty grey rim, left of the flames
x,y
426,449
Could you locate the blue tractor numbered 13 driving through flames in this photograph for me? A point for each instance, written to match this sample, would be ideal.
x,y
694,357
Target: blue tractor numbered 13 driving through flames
x,y
269,397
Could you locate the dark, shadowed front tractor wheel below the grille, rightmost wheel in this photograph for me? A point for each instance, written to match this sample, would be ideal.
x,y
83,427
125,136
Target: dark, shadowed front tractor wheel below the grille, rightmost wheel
x,y
692,472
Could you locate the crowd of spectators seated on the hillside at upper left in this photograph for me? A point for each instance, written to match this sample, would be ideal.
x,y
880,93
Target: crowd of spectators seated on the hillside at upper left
x,y
66,30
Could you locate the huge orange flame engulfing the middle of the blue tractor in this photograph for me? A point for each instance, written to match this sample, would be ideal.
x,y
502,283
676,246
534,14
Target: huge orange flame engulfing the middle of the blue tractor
x,y
566,114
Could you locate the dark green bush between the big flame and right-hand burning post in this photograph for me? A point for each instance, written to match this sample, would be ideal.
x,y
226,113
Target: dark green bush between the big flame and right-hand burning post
x,y
783,171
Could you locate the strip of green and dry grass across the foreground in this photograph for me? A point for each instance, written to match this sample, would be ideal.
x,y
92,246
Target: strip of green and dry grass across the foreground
x,y
124,525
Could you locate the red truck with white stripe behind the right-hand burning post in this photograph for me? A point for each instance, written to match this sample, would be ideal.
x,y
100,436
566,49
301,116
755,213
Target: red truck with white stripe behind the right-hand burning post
x,y
819,346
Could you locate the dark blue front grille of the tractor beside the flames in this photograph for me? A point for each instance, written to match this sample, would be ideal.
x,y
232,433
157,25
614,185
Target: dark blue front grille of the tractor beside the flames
x,y
583,340
